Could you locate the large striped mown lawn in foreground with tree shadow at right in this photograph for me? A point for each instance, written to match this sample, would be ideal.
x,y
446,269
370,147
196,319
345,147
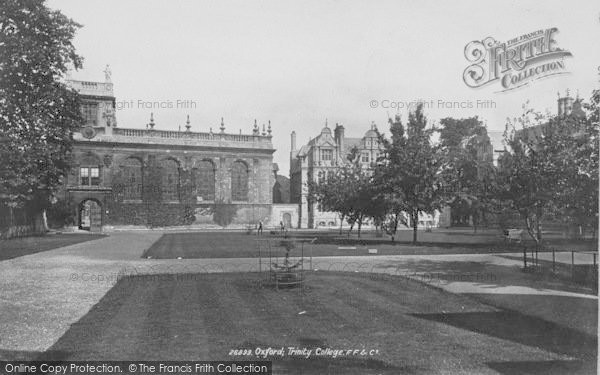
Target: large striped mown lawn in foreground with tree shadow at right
x,y
405,327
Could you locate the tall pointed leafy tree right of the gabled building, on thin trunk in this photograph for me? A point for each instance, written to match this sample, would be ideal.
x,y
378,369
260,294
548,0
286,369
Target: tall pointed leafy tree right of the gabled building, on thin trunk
x,y
412,167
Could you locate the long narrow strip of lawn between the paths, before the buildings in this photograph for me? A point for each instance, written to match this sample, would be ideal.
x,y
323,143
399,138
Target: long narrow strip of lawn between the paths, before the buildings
x,y
240,245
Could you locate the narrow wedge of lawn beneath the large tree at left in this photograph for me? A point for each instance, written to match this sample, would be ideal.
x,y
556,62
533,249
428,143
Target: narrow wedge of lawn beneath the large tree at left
x,y
30,245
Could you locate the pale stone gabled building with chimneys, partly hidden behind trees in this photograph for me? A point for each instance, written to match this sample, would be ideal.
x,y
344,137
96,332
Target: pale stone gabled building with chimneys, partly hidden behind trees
x,y
323,155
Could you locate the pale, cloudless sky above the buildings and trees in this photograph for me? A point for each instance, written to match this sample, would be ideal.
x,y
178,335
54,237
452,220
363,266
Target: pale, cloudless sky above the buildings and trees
x,y
301,63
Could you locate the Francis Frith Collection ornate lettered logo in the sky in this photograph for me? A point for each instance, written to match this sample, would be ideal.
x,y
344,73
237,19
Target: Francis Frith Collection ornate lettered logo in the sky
x,y
515,63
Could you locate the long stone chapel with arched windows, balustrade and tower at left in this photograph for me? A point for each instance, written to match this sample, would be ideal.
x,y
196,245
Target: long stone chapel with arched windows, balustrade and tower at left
x,y
151,177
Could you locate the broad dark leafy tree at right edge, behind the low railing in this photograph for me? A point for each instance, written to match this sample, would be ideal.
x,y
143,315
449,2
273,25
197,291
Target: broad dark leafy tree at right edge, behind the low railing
x,y
551,169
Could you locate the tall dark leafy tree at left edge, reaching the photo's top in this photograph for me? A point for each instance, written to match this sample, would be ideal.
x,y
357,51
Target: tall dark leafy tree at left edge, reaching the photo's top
x,y
38,113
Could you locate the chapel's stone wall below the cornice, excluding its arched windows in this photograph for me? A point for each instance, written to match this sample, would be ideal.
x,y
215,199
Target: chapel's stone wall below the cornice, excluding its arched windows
x,y
151,209
